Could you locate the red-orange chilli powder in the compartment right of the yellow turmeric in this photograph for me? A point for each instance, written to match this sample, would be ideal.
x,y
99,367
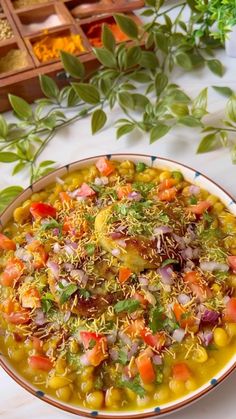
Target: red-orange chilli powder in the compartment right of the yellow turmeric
x,y
94,33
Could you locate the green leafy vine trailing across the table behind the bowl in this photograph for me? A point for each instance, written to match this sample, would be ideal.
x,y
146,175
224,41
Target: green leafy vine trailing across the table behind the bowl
x,y
135,77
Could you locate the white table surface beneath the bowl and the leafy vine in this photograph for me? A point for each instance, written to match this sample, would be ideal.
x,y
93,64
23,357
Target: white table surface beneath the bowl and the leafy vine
x,y
75,142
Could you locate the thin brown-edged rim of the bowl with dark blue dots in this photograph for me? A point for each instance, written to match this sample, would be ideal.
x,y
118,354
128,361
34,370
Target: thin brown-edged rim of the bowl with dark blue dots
x,y
109,414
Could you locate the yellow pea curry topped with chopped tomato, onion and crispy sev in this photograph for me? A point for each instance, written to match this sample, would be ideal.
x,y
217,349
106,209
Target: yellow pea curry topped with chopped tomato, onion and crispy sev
x,y
118,287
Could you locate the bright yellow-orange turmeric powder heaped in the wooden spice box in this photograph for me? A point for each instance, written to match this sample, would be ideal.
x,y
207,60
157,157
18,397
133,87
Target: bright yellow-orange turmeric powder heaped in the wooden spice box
x,y
48,48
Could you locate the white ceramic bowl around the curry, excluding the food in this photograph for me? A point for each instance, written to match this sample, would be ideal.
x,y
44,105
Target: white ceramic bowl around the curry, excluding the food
x,y
192,176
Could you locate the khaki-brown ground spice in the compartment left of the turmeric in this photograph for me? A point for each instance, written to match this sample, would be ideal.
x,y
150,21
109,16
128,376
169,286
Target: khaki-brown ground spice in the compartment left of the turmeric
x,y
14,60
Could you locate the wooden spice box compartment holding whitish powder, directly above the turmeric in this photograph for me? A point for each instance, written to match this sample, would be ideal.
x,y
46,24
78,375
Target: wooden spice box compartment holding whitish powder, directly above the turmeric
x,y
40,18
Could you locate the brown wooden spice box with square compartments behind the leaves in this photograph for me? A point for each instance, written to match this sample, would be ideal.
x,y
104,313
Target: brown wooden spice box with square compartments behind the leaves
x,y
25,23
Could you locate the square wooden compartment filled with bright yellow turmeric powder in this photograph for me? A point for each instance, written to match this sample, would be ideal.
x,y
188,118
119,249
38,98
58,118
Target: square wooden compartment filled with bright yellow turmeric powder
x,y
54,40
